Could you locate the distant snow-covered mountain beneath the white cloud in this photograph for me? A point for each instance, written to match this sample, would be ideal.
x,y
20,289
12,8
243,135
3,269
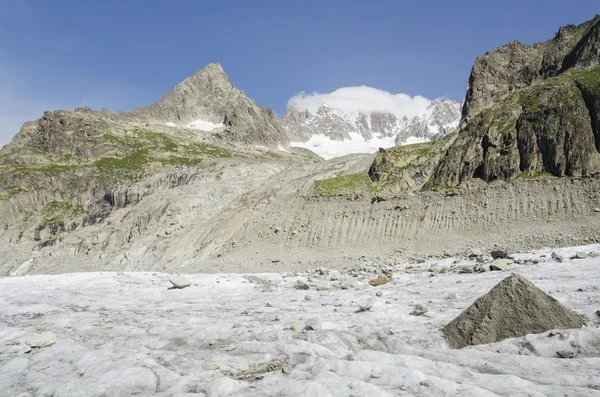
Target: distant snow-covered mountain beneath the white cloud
x,y
331,132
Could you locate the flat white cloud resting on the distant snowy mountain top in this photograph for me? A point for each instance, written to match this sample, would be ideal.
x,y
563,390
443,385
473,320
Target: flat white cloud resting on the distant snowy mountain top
x,y
363,99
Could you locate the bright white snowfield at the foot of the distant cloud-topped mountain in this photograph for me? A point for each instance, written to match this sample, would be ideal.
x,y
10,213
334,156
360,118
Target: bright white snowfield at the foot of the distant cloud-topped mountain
x,y
328,148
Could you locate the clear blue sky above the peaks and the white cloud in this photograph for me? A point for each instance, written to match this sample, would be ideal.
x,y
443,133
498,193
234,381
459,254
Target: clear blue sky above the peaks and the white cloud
x,y
119,54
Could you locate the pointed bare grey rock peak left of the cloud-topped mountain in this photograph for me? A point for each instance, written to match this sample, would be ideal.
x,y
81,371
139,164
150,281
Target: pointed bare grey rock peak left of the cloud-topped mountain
x,y
209,97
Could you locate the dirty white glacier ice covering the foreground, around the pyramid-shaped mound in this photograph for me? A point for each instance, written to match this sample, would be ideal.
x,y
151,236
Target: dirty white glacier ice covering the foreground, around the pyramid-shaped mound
x,y
123,334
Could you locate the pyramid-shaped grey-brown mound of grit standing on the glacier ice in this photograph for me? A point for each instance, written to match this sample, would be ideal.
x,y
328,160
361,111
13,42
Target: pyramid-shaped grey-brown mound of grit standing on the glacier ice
x,y
514,307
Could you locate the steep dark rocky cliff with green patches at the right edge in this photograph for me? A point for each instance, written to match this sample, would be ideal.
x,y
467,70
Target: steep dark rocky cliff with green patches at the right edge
x,y
530,110
